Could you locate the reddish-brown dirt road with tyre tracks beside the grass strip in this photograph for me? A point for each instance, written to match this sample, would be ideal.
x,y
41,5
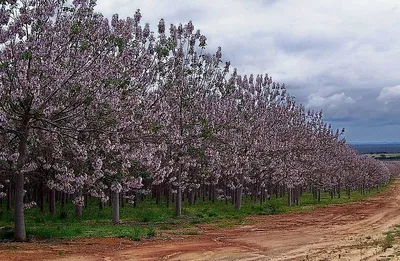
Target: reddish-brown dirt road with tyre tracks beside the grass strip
x,y
340,232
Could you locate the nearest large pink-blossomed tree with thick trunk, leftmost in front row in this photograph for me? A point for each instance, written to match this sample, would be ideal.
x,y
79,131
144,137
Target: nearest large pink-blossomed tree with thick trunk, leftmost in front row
x,y
59,75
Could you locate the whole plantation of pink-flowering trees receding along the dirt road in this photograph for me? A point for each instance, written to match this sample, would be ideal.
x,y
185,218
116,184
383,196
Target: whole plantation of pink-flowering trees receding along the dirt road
x,y
107,110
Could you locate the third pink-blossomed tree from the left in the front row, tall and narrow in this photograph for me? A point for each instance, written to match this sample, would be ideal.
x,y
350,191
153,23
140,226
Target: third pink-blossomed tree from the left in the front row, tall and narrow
x,y
188,75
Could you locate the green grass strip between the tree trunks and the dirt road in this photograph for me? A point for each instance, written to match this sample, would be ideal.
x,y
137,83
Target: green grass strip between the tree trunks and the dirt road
x,y
148,219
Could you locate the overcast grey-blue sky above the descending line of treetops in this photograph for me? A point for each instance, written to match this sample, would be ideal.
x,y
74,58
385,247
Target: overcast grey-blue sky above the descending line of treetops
x,y
341,56
